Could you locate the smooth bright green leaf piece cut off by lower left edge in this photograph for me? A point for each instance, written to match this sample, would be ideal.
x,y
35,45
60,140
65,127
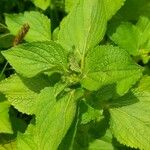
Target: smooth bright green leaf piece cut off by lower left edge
x,y
5,125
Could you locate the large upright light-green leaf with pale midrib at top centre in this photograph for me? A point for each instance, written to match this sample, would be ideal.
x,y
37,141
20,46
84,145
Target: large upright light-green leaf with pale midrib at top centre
x,y
85,25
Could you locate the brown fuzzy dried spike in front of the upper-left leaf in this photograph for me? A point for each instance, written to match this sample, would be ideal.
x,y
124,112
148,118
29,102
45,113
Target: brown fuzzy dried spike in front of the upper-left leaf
x,y
21,34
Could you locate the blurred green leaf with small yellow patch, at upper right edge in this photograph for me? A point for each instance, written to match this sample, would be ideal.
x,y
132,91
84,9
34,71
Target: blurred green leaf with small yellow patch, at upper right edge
x,y
134,38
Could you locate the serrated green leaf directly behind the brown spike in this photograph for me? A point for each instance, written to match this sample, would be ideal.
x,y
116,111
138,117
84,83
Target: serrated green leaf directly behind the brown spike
x,y
39,25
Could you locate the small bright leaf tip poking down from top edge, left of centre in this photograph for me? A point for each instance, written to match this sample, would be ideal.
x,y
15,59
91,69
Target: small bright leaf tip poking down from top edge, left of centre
x,y
43,4
